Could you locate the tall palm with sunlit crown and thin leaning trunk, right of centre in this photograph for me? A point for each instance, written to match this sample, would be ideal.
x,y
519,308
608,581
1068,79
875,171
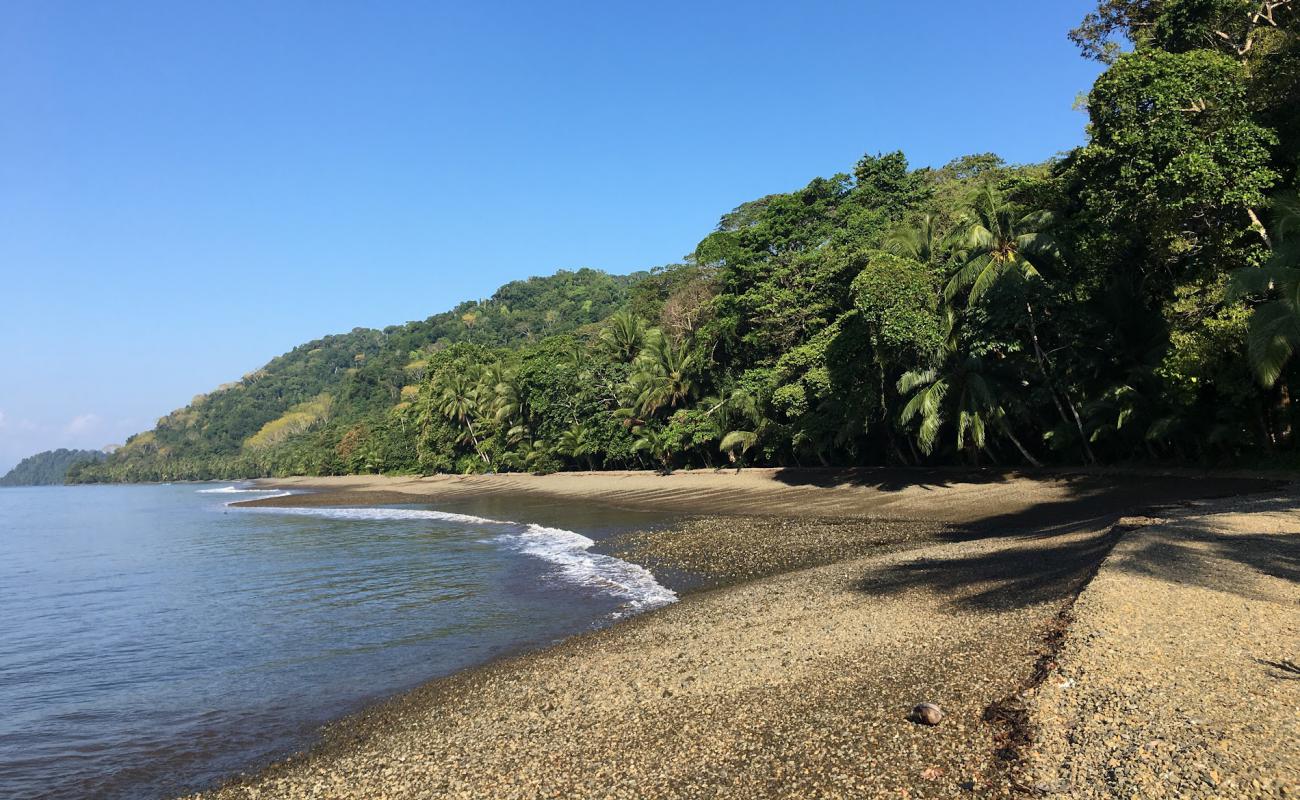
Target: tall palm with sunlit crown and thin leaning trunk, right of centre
x,y
1003,247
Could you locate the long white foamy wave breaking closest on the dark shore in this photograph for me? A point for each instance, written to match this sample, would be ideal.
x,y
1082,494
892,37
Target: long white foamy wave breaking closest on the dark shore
x,y
569,551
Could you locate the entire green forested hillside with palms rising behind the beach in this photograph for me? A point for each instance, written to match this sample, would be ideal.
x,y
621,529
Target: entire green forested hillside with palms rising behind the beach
x,y
1137,299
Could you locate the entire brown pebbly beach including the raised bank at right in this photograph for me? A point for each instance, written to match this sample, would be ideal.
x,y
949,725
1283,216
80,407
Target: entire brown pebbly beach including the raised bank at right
x,y
827,604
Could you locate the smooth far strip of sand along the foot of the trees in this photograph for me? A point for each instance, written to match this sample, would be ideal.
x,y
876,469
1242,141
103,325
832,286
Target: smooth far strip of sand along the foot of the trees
x,y
978,499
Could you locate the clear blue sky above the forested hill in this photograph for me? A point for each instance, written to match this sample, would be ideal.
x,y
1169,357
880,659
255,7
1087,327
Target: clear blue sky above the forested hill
x,y
190,189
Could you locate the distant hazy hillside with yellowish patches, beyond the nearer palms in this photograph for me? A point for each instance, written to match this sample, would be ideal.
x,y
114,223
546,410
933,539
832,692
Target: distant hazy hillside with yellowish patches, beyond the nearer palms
x,y
255,425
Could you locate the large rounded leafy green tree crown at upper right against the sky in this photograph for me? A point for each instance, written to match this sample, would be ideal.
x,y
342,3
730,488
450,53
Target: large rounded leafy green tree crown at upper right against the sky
x,y
1176,161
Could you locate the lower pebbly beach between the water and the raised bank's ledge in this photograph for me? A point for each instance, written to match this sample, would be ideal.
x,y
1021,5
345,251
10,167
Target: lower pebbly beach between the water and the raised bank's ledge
x,y
943,589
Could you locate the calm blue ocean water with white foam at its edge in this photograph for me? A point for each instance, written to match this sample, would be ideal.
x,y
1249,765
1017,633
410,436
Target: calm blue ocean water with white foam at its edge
x,y
154,641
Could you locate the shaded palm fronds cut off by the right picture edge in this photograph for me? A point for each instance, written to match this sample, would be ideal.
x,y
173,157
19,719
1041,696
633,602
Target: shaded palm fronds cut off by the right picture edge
x,y
1275,334
